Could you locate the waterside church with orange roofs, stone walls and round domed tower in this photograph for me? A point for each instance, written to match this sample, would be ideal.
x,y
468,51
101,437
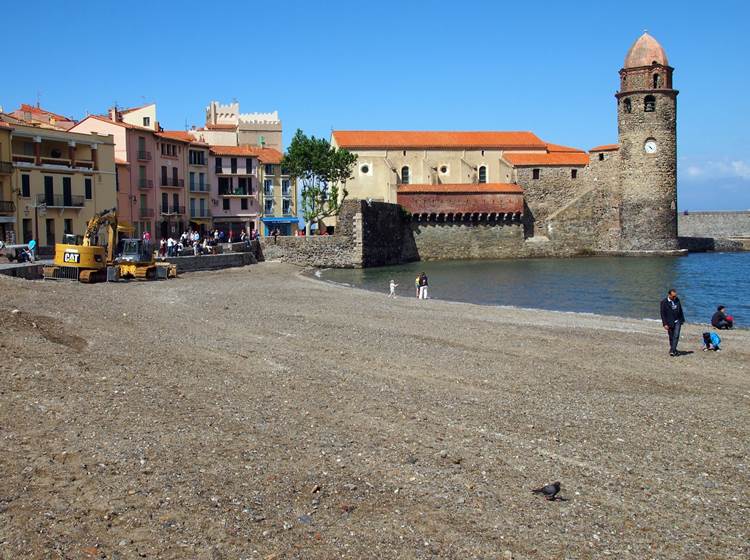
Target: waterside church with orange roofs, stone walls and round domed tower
x,y
541,197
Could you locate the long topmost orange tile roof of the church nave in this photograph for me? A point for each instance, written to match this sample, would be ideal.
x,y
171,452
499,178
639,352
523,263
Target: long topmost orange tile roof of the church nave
x,y
434,139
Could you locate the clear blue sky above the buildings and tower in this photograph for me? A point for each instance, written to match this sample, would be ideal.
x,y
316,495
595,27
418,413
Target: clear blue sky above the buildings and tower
x,y
549,67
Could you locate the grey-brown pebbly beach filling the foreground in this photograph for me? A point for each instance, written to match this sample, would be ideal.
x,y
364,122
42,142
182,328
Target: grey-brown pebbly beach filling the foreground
x,y
256,413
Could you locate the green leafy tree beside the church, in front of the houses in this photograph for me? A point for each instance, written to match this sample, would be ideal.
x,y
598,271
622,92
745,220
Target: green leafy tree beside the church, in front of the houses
x,y
324,171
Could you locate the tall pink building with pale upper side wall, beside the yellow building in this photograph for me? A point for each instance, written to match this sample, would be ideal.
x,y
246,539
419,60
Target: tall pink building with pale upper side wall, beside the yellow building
x,y
135,155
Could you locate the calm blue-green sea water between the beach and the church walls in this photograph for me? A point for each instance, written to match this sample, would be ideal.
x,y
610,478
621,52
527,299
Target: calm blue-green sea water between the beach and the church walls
x,y
628,287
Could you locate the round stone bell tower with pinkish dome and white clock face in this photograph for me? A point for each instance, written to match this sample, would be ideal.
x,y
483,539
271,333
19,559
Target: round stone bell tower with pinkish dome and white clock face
x,y
647,130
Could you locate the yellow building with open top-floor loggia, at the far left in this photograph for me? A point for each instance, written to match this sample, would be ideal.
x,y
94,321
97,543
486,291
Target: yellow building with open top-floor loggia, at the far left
x,y
59,181
